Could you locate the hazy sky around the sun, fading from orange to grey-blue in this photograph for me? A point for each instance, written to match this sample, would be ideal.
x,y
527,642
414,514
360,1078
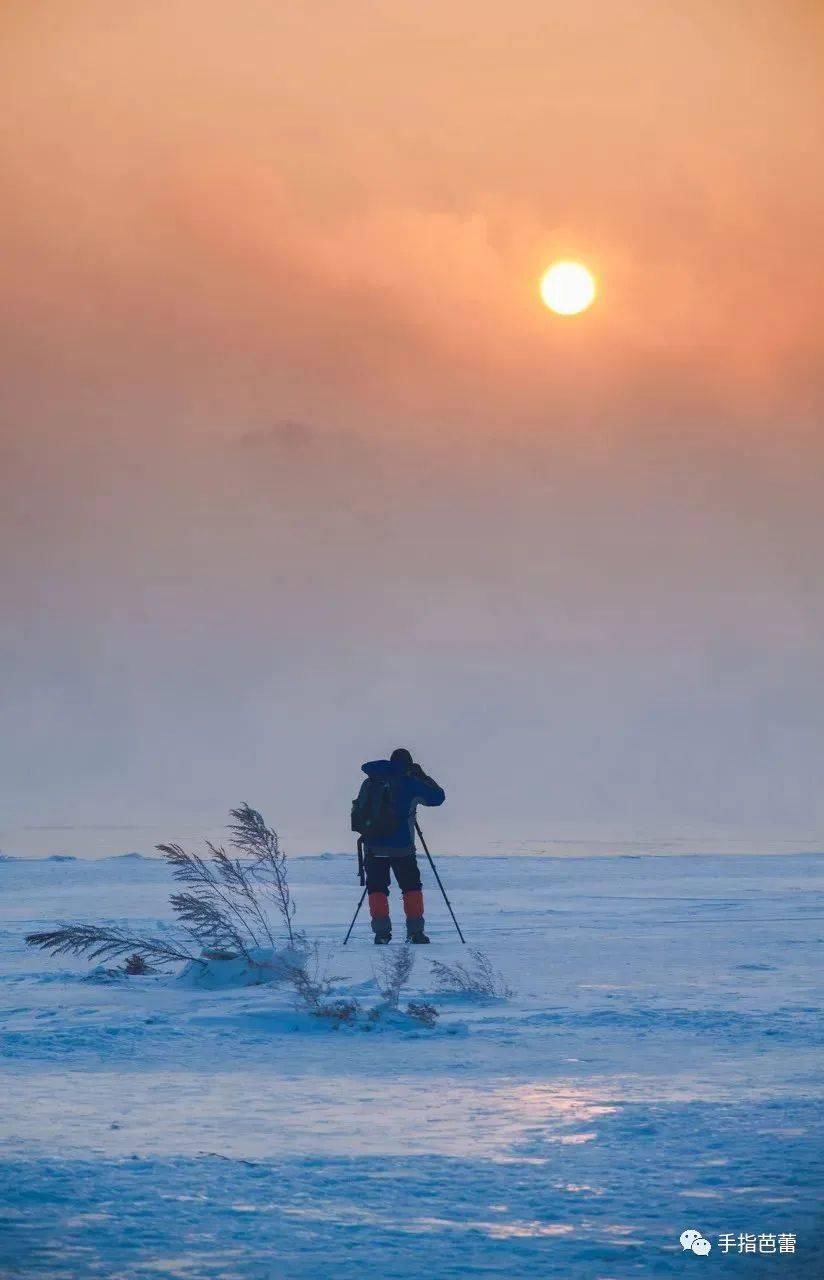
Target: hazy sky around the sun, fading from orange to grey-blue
x,y
217,221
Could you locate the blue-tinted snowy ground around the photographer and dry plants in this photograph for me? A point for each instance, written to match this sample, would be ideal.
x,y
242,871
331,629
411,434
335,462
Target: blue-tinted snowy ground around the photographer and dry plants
x,y
658,1068
